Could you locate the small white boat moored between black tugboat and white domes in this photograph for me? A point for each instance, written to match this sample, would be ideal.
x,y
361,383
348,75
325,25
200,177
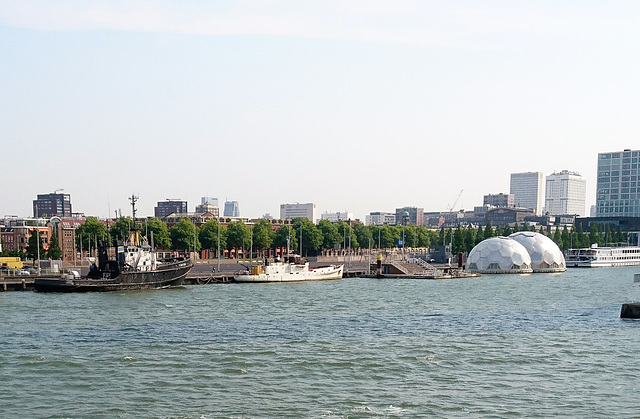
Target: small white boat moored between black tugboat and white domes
x,y
292,271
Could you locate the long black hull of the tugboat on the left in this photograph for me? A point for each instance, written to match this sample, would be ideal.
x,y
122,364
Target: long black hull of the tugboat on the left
x,y
170,276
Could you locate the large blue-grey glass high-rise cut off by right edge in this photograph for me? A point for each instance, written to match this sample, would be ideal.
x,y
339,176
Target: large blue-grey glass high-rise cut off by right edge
x,y
618,185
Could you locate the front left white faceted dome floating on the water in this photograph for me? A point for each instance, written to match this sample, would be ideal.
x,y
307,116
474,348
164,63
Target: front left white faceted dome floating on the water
x,y
499,255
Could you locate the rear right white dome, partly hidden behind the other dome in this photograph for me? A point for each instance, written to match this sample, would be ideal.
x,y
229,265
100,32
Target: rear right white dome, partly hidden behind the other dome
x,y
545,253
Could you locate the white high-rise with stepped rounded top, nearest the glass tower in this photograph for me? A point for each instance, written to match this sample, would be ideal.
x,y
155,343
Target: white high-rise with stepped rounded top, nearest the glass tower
x,y
565,194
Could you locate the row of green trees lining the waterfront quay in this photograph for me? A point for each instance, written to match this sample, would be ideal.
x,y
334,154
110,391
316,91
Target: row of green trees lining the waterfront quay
x,y
185,236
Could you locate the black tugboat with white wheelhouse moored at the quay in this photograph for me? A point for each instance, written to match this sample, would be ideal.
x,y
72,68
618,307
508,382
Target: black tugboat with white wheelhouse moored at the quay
x,y
136,267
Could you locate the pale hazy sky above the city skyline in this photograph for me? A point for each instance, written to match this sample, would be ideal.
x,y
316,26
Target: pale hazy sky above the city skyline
x,y
358,106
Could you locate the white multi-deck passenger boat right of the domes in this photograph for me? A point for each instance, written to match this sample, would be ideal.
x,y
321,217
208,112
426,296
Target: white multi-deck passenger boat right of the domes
x,y
603,257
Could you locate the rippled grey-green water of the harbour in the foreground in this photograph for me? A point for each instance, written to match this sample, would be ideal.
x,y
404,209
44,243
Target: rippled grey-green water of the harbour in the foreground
x,y
538,345
